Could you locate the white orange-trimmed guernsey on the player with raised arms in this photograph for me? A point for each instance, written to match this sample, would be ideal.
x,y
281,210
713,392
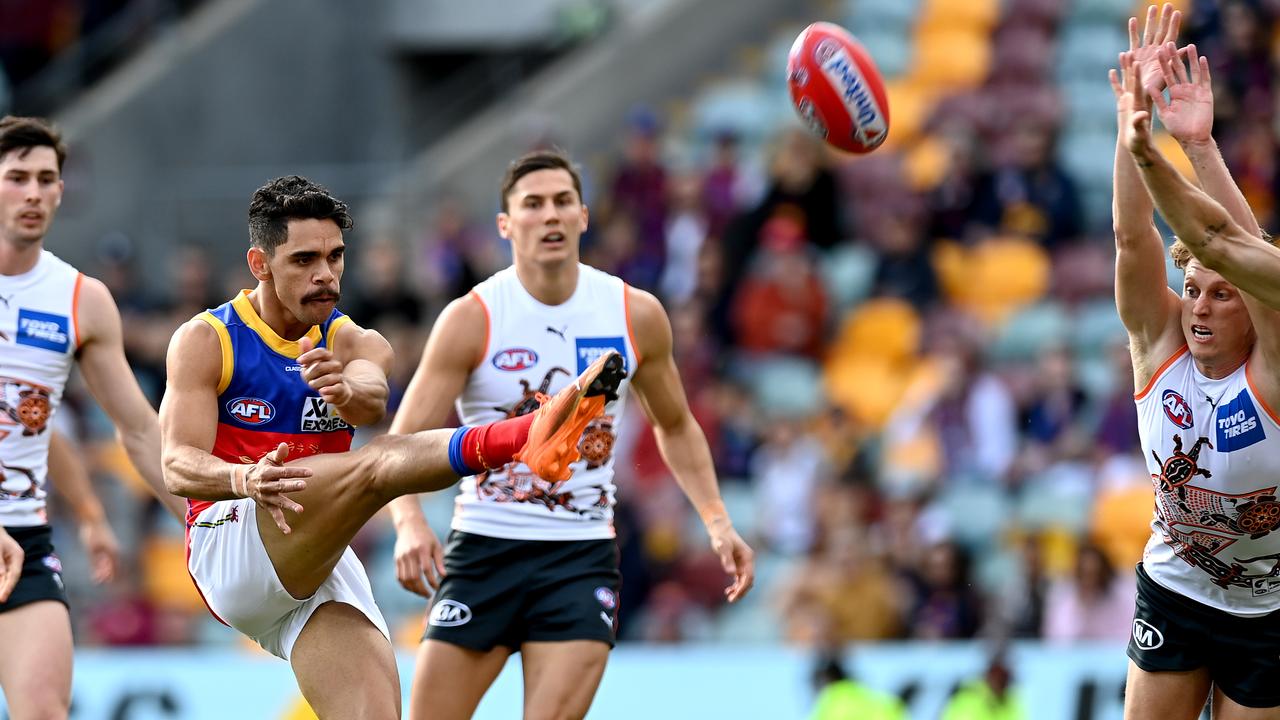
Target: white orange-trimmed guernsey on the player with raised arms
x,y
1214,453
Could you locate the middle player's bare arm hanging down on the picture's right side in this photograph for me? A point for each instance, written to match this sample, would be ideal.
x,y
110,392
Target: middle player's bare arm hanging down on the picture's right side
x,y
680,440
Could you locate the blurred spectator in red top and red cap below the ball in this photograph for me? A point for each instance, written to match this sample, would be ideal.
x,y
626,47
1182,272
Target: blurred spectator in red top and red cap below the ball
x,y
783,307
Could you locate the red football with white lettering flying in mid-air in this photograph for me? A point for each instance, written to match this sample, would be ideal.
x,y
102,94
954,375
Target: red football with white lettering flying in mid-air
x,y
838,90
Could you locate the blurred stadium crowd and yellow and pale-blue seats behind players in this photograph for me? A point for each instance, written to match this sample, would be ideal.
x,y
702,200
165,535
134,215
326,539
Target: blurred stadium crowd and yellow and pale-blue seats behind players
x,y
908,366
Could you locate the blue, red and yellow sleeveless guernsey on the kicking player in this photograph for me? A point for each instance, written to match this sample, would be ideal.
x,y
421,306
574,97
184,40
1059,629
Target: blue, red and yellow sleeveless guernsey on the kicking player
x,y
262,397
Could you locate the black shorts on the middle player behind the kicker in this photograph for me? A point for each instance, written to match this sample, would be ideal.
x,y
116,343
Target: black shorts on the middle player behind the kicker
x,y
506,593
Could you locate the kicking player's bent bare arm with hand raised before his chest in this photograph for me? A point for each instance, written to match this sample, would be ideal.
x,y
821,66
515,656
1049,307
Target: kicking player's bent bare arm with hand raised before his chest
x,y
353,376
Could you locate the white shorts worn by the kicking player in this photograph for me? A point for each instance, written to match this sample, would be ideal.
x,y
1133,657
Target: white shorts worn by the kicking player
x,y
237,580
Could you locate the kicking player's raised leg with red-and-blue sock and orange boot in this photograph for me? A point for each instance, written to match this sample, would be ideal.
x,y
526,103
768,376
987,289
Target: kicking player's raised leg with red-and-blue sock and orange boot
x,y
346,490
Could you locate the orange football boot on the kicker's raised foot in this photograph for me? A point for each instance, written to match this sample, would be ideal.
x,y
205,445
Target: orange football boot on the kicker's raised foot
x,y
559,425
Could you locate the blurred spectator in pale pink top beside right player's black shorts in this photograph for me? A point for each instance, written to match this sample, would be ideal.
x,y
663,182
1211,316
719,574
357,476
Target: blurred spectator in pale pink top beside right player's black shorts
x,y
1095,604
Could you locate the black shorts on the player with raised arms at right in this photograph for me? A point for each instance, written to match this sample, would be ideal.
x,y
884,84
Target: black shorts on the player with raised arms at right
x,y
1174,634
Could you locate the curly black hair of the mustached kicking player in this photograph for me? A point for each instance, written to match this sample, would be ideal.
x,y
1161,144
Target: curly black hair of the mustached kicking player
x,y
292,198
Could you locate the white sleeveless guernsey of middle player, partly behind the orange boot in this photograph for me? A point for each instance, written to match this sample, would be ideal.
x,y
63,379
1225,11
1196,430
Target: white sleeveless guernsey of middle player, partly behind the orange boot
x,y
534,348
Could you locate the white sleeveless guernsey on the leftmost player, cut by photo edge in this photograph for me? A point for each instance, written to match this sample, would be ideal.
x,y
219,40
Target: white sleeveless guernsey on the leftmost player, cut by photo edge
x,y
38,347
